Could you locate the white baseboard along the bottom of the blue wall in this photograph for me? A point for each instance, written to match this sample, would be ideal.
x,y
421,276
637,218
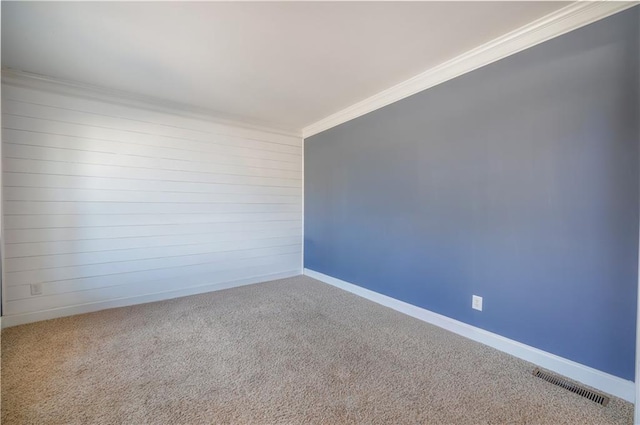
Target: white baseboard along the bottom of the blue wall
x,y
589,376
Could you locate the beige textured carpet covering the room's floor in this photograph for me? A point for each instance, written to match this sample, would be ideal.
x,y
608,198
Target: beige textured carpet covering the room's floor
x,y
293,351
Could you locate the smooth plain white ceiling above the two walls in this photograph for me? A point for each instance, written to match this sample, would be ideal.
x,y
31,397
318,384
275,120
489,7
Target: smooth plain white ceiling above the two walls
x,y
285,65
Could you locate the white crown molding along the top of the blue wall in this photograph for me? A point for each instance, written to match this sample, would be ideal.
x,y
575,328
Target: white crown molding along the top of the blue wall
x,y
564,20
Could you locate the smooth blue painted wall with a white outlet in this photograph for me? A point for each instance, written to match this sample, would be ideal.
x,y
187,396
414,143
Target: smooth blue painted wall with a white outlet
x,y
517,182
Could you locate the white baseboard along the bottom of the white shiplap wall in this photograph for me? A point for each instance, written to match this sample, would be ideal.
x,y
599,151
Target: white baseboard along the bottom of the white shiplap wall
x,y
21,319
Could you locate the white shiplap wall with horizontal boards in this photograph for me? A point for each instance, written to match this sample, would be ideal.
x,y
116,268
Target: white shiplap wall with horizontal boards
x,y
107,204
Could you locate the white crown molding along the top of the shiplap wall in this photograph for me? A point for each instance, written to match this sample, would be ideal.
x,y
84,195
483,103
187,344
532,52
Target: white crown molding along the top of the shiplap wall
x,y
66,87
